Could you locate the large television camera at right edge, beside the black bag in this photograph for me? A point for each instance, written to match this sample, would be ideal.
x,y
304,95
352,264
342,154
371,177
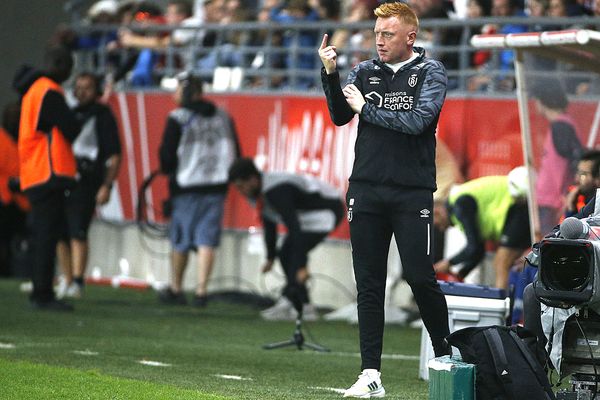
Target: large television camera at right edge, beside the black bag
x,y
568,286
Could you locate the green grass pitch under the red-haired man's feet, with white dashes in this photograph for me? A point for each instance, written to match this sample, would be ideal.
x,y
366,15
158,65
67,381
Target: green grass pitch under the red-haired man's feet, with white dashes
x,y
211,353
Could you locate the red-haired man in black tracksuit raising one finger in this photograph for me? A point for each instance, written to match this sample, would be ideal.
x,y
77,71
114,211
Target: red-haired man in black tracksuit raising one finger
x,y
398,97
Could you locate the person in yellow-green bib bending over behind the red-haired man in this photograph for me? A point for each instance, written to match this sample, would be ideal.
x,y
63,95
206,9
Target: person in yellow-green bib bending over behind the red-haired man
x,y
490,208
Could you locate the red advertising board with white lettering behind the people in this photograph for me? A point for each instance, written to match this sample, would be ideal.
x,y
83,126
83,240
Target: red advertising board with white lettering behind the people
x,y
293,133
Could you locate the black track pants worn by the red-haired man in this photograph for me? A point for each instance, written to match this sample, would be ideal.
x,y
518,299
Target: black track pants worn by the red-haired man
x,y
375,213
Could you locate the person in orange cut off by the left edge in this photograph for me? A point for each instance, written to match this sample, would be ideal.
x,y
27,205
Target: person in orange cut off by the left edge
x,y
13,205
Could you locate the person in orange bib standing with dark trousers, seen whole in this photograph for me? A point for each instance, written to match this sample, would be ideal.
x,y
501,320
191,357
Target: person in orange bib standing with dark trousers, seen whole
x,y
47,166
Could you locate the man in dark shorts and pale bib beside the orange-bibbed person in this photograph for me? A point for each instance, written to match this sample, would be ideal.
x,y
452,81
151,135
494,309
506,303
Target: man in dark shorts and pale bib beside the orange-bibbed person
x,y
98,153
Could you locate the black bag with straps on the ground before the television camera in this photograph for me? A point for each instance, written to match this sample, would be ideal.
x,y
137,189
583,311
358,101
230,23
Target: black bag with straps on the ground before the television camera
x,y
508,362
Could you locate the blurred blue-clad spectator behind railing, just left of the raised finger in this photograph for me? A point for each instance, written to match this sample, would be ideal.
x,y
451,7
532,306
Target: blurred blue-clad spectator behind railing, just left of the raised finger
x,y
299,41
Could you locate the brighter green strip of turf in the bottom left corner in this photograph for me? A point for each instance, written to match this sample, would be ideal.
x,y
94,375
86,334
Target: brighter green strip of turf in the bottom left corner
x,y
25,380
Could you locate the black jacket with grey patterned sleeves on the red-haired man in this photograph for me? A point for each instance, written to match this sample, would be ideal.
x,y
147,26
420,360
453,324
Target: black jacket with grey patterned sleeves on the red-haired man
x,y
396,131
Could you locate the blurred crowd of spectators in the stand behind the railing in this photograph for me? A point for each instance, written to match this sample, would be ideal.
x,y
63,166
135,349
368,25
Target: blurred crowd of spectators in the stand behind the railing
x,y
140,43
